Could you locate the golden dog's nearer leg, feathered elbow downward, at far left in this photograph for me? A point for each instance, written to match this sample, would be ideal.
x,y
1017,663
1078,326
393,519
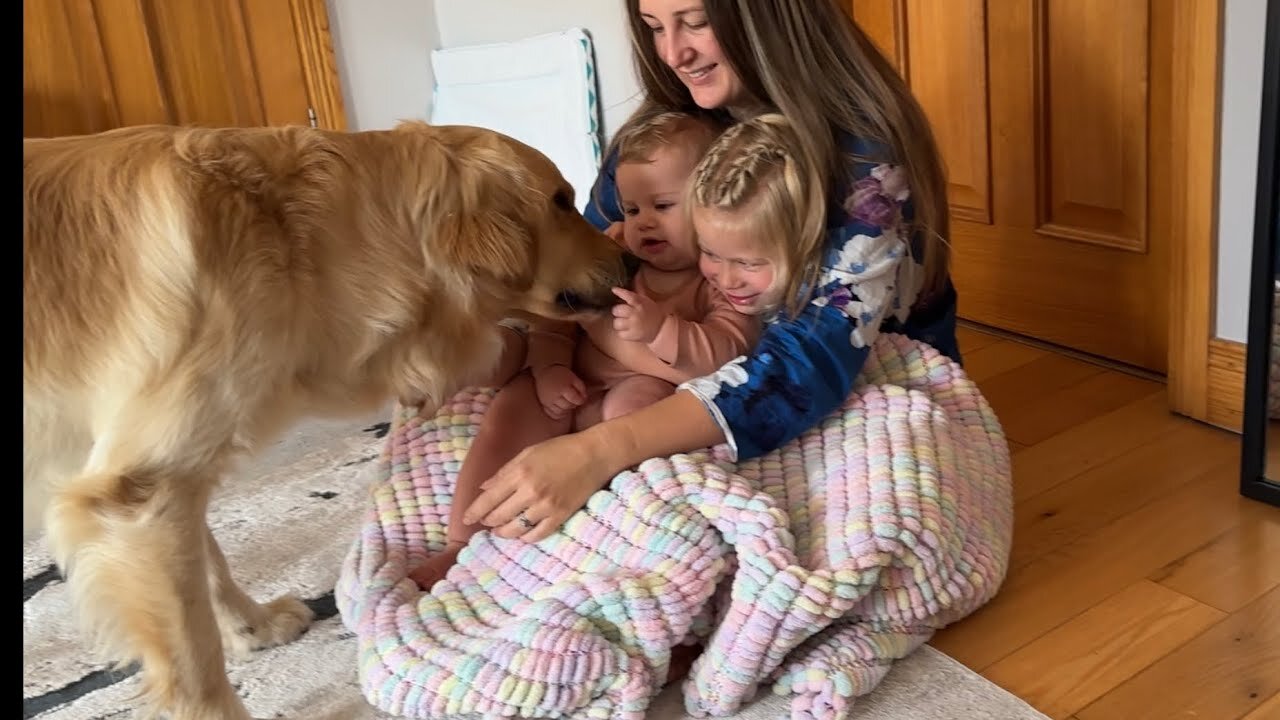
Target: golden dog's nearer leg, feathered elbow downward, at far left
x,y
132,546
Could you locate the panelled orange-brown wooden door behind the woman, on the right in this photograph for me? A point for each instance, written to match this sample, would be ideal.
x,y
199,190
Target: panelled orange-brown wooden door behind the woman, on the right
x,y
1054,120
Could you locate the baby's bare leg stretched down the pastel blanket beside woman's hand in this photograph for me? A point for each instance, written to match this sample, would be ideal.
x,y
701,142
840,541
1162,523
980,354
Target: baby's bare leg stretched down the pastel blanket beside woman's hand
x,y
515,421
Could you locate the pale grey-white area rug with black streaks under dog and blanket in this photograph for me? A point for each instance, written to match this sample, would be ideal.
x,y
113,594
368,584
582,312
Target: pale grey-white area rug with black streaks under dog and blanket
x,y
286,525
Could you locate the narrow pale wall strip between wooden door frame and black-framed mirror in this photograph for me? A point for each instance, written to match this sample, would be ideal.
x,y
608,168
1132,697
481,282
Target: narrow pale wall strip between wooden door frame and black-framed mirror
x,y
1245,28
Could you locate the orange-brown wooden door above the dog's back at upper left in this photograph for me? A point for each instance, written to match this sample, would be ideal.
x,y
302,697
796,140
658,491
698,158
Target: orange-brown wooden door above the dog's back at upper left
x,y
92,66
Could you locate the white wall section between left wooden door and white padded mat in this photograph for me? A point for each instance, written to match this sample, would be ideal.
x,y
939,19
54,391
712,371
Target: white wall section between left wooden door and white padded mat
x,y
383,49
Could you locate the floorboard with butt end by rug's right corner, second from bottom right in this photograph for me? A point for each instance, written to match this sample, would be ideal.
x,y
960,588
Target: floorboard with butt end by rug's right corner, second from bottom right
x,y
1103,648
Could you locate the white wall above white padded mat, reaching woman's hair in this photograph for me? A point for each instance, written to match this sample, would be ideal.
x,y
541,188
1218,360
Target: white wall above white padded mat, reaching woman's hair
x,y
476,22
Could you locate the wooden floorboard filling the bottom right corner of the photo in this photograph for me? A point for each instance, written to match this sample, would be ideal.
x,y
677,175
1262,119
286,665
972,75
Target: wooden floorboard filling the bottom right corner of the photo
x,y
1224,673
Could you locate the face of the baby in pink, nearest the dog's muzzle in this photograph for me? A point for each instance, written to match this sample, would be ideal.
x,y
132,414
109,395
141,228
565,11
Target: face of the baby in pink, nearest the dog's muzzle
x,y
651,194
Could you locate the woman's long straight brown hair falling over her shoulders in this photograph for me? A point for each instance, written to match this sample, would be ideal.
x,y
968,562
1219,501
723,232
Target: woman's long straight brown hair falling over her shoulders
x,y
810,61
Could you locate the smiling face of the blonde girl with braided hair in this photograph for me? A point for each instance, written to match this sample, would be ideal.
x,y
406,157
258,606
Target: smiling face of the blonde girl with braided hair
x,y
737,262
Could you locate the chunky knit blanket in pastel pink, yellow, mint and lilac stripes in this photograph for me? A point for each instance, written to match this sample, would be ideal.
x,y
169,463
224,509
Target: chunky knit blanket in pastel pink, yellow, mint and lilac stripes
x,y
815,567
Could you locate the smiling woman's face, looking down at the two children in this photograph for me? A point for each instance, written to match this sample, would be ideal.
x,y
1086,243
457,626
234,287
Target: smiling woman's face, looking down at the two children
x,y
684,39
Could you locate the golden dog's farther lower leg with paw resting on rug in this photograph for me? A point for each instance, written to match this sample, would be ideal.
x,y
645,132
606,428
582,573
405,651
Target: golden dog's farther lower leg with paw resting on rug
x,y
246,626
